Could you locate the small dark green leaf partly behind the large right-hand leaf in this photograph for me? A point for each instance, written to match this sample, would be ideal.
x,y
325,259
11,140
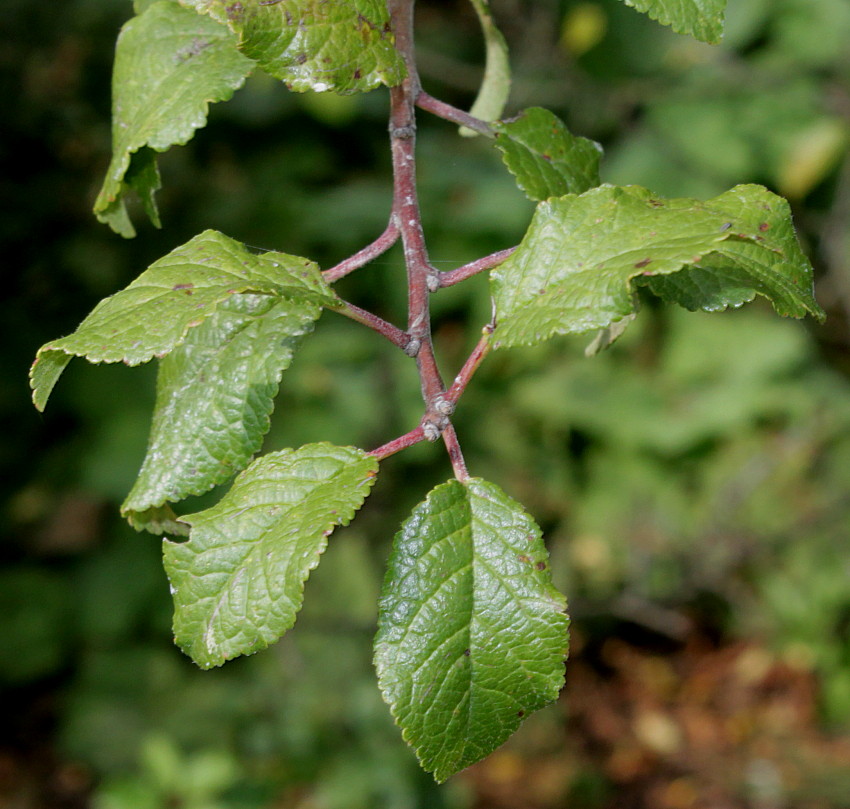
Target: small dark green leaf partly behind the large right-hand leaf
x,y
545,158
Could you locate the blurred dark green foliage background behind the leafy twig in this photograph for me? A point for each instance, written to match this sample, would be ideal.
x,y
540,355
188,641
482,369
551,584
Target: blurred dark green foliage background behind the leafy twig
x,y
693,482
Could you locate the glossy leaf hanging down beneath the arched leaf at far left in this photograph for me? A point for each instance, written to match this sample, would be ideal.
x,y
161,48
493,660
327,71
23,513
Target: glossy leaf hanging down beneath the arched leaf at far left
x,y
215,393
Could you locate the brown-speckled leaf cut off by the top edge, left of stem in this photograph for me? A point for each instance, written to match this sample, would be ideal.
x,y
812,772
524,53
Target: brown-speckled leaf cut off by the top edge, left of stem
x,y
345,47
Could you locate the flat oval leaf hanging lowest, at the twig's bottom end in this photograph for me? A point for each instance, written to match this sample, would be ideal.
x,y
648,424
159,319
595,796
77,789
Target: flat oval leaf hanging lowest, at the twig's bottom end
x,y
472,634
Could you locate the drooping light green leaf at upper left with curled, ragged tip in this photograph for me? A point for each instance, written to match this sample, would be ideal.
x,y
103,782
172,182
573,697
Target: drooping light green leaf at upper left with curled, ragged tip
x,y
169,65
